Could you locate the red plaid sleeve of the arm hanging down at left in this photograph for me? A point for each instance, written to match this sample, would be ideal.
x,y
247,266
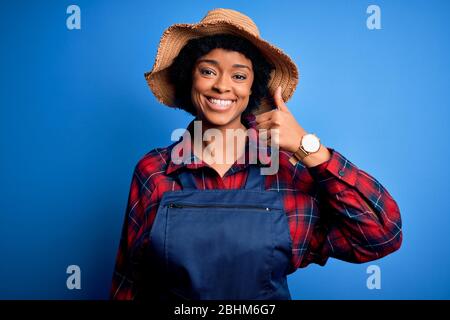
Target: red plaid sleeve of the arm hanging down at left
x,y
123,281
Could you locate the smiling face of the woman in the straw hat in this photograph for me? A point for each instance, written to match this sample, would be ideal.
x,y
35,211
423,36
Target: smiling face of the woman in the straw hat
x,y
221,87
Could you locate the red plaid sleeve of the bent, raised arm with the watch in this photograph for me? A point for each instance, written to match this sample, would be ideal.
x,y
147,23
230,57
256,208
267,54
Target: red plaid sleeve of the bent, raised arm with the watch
x,y
359,219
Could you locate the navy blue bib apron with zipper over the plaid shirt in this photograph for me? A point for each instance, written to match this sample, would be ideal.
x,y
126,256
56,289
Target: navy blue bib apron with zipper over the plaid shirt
x,y
221,244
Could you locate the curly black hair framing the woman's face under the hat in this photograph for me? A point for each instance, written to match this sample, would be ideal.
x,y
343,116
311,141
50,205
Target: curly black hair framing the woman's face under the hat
x,y
180,71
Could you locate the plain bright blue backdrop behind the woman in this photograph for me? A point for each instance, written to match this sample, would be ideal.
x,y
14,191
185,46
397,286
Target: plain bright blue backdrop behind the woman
x,y
76,116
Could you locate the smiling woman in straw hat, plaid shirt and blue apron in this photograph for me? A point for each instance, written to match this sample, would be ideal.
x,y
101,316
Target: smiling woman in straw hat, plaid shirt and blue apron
x,y
198,228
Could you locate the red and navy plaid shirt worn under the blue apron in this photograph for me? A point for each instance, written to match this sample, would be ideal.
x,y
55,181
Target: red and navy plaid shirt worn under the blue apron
x,y
334,209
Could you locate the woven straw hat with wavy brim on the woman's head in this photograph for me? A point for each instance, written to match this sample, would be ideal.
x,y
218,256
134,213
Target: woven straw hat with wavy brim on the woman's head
x,y
219,21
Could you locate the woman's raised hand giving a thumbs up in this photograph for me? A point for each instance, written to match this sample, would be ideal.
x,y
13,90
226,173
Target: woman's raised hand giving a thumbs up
x,y
290,132
